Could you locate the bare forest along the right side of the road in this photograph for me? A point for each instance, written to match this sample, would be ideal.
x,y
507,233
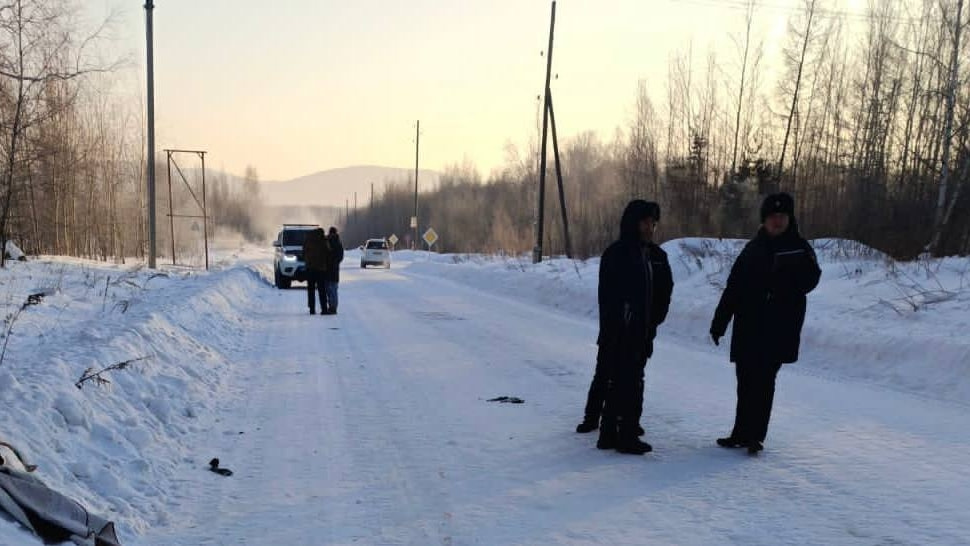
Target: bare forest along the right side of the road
x,y
870,131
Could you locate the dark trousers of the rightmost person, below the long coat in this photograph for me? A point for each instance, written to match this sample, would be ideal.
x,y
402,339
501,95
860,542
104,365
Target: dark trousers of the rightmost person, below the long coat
x,y
756,394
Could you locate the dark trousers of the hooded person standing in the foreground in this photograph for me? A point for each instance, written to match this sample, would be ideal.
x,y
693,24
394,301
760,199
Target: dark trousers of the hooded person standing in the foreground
x,y
624,394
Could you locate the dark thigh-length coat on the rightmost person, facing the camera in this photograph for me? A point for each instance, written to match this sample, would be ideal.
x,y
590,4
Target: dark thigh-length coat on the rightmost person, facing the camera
x,y
765,295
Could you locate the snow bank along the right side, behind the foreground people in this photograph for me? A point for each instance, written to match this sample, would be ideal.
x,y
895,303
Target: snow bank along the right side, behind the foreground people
x,y
901,325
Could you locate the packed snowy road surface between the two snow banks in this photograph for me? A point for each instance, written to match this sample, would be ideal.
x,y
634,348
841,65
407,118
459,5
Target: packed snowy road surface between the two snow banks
x,y
372,427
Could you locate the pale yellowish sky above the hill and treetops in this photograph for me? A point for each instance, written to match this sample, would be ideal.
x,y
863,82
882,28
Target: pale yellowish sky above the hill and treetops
x,y
297,86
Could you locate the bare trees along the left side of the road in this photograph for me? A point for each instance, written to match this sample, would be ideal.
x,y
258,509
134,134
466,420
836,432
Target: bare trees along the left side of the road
x,y
72,154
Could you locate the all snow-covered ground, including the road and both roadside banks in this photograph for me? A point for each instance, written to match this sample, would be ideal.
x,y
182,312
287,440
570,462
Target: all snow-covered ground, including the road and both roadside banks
x,y
372,427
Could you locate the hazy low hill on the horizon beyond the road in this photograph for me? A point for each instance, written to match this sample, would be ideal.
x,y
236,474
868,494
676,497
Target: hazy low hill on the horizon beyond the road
x,y
333,187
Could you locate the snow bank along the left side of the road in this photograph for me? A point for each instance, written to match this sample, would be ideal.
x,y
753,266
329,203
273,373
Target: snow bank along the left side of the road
x,y
119,448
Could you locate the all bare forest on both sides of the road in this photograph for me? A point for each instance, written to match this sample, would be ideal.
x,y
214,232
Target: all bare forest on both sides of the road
x,y
868,125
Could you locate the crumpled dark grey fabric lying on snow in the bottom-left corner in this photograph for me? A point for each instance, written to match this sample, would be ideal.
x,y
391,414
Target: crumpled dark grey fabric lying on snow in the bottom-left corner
x,y
50,515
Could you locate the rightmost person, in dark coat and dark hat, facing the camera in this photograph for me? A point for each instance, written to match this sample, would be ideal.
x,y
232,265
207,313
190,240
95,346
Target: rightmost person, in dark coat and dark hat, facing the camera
x,y
765,296
